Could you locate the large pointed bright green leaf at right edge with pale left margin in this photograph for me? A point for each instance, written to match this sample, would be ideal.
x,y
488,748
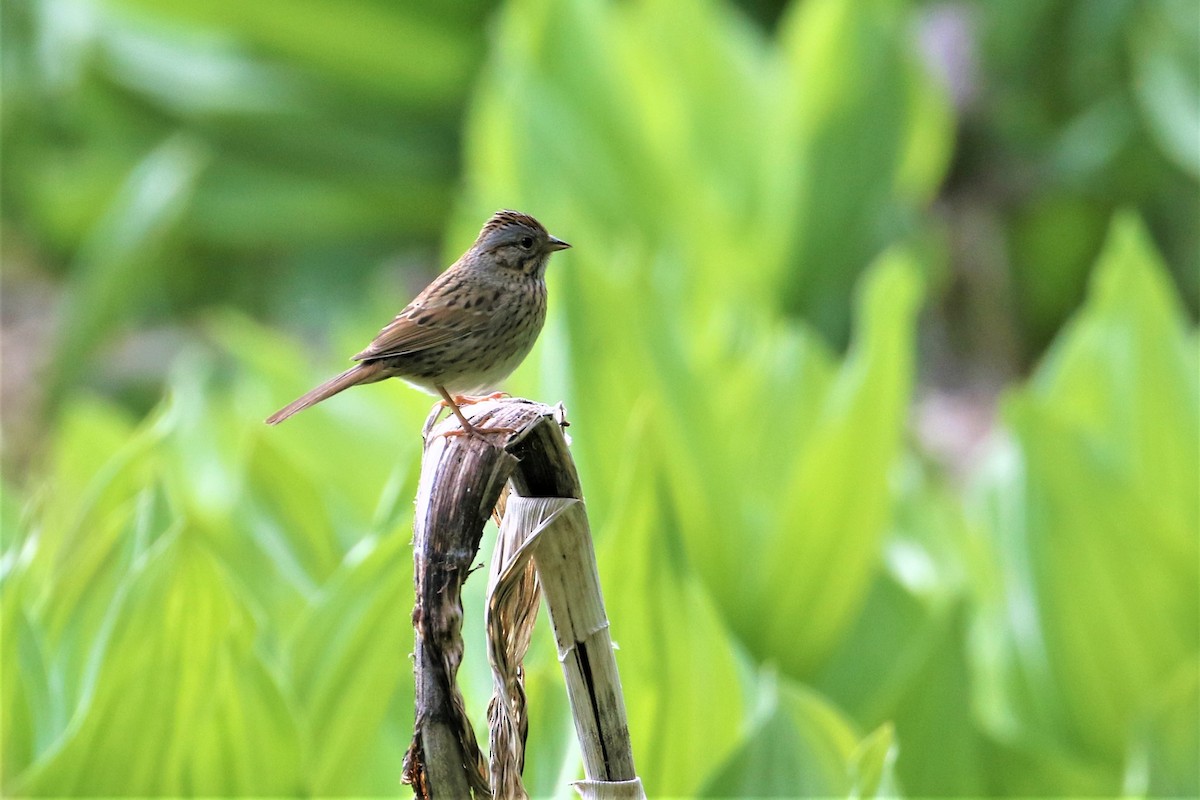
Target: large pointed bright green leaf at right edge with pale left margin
x,y
1093,508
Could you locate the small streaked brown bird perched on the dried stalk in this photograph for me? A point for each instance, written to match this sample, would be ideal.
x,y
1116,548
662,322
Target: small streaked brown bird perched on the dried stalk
x,y
470,329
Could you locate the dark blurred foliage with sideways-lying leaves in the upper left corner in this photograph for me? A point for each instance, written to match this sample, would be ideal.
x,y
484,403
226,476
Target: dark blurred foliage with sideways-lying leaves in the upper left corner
x,y
179,155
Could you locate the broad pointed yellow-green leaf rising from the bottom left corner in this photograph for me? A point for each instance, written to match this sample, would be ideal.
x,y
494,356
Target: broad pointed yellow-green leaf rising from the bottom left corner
x,y
182,703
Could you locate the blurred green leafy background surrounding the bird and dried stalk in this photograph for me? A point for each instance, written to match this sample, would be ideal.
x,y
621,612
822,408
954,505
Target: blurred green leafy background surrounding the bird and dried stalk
x,y
806,605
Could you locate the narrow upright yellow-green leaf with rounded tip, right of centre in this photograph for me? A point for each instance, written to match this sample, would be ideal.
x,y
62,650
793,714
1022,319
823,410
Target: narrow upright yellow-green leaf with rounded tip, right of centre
x,y
837,500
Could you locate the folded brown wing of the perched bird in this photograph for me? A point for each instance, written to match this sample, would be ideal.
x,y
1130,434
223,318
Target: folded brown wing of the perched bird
x,y
428,322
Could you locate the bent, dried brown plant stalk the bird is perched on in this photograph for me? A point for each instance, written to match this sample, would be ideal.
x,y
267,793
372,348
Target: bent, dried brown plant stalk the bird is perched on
x,y
461,484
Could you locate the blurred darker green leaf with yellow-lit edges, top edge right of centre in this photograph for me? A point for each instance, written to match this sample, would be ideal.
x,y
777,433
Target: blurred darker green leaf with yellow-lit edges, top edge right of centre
x,y
850,63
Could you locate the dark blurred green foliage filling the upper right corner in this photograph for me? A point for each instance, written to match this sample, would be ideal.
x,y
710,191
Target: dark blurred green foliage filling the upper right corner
x,y
1088,109
